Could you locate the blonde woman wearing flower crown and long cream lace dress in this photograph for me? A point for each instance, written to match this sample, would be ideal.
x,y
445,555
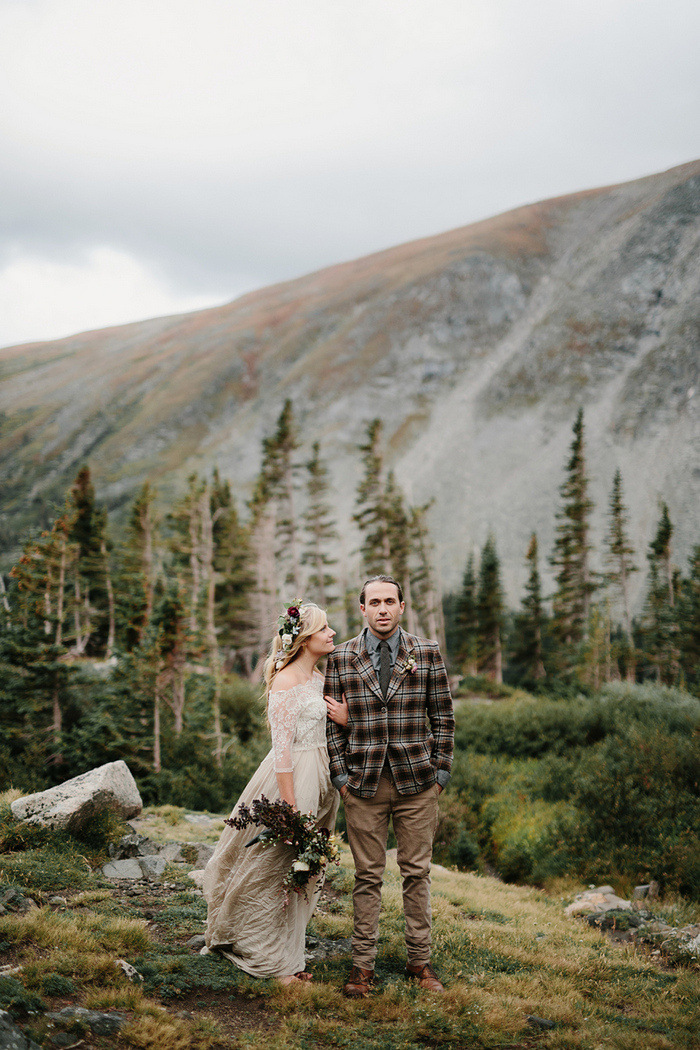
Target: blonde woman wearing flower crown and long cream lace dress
x,y
247,920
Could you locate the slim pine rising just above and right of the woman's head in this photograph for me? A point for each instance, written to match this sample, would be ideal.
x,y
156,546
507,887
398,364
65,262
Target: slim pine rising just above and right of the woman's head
x,y
321,533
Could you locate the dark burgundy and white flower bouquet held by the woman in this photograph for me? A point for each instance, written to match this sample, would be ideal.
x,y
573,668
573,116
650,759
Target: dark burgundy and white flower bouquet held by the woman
x,y
314,847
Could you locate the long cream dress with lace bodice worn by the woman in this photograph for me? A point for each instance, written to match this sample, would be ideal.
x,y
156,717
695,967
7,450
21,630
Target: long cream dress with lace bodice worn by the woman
x,y
247,918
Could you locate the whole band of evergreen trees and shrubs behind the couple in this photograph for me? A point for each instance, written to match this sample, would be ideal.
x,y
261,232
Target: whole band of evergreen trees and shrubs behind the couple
x,y
579,717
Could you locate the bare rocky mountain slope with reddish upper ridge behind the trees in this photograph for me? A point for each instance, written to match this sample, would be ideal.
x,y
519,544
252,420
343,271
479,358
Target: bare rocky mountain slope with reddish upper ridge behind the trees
x,y
476,349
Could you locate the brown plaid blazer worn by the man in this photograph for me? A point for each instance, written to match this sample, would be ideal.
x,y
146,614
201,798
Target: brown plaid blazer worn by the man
x,y
414,728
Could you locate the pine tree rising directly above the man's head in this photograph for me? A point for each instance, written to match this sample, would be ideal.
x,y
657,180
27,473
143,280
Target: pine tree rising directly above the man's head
x,y
371,515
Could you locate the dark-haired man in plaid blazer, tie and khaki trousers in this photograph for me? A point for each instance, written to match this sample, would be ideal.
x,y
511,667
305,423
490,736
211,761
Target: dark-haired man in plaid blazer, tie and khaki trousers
x,y
387,763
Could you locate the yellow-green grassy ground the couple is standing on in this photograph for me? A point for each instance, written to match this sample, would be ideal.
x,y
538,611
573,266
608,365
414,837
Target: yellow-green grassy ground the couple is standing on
x,y
507,954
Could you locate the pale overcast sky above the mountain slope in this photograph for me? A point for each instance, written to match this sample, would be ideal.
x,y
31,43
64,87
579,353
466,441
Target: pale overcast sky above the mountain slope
x,y
161,156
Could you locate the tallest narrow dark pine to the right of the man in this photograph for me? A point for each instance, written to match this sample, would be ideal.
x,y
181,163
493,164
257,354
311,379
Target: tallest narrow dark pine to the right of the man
x,y
571,557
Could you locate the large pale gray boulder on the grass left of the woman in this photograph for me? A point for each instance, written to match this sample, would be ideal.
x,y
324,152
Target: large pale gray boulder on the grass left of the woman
x,y
73,805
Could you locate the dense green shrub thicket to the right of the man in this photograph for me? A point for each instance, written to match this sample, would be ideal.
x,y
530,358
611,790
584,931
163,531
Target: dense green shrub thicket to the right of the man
x,y
605,787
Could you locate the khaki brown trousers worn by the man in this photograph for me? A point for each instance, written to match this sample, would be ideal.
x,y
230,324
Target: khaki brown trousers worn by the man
x,y
415,821
